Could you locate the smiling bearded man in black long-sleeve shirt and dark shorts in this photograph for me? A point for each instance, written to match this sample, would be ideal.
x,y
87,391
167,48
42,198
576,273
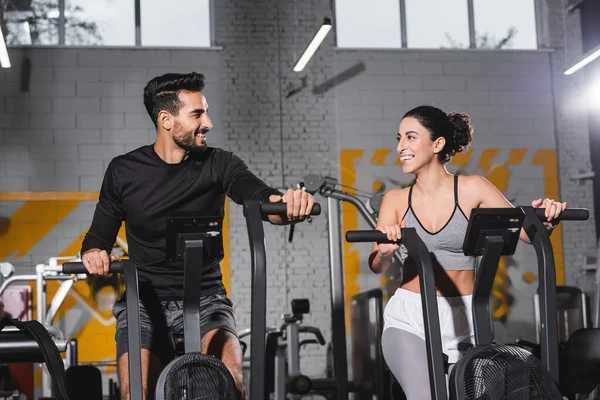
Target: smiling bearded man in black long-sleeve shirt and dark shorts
x,y
179,172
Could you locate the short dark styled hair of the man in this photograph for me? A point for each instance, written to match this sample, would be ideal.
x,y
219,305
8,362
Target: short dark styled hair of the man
x,y
161,93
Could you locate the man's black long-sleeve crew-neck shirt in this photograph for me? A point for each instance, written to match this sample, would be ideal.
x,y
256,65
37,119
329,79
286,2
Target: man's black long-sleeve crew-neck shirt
x,y
141,189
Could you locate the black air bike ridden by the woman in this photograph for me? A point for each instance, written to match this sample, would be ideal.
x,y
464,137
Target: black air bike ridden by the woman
x,y
489,370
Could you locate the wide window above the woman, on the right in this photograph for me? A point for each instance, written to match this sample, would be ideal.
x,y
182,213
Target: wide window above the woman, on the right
x,y
508,24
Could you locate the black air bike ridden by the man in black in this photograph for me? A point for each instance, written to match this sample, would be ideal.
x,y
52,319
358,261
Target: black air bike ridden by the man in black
x,y
192,238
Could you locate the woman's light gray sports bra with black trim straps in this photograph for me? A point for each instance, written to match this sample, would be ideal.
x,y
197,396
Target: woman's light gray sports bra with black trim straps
x,y
445,245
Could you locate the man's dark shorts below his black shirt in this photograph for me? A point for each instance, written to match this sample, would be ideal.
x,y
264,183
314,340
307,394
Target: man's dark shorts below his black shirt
x,y
160,320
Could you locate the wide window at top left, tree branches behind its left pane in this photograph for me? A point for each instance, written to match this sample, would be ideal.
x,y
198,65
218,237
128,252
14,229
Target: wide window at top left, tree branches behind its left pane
x,y
185,23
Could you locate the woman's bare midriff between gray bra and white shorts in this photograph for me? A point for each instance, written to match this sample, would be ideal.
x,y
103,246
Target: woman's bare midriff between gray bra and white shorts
x,y
448,283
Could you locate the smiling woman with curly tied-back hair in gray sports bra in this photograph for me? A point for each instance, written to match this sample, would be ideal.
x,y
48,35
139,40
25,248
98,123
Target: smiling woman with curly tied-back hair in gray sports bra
x,y
437,205
